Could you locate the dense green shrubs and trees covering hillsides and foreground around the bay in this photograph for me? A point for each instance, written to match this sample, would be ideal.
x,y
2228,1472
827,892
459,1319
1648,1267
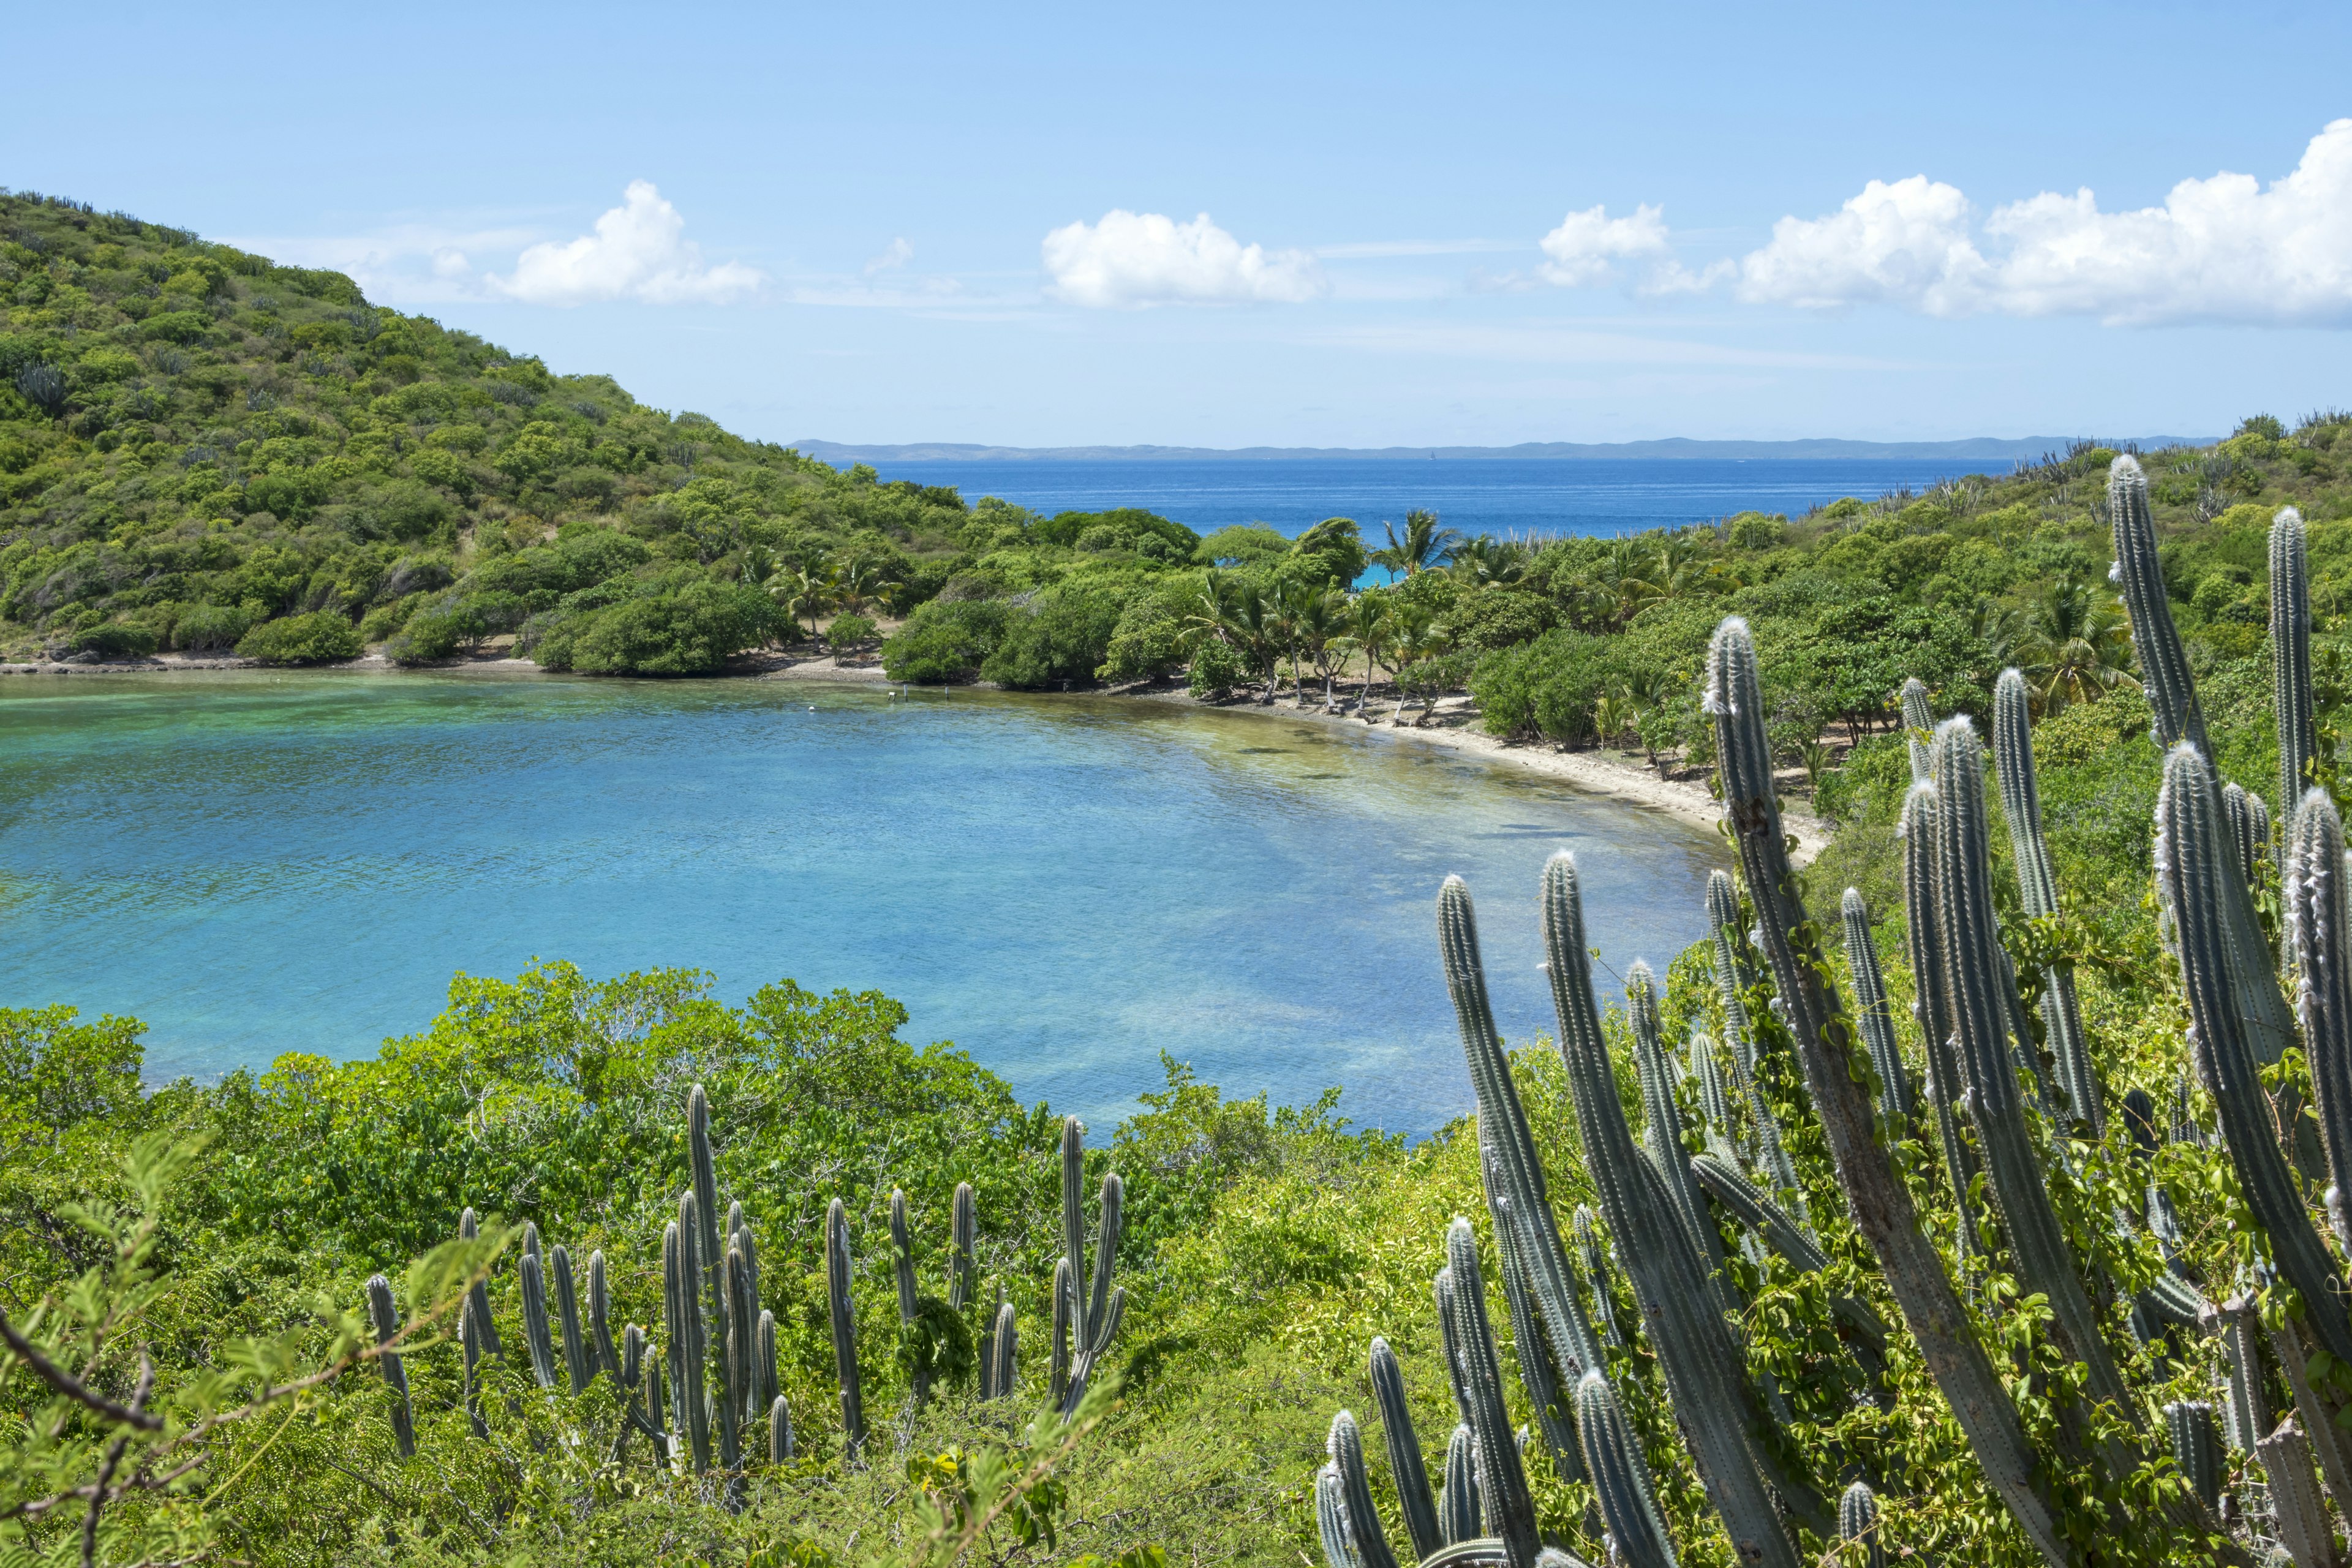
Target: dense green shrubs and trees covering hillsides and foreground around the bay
x,y
203,1252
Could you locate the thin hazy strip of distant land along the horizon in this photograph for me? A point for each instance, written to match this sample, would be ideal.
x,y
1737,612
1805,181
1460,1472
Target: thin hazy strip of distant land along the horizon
x,y
1977,450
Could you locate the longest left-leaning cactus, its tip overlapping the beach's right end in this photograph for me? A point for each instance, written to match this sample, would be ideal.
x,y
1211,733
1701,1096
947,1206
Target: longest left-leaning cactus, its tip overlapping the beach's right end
x,y
1876,1193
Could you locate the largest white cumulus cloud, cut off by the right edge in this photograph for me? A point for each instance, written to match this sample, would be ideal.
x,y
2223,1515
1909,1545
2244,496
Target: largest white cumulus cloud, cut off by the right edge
x,y
2219,250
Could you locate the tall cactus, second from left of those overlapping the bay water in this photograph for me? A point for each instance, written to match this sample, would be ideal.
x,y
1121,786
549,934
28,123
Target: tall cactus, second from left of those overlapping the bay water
x,y
1704,1367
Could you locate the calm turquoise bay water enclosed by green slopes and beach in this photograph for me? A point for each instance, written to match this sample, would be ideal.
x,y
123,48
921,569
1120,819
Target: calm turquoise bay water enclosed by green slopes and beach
x,y
1067,887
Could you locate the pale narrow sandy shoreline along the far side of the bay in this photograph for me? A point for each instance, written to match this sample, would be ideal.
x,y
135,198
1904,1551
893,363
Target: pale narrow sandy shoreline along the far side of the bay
x,y
1598,772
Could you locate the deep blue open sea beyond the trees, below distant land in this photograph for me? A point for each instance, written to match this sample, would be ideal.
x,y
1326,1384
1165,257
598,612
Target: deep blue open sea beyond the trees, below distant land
x,y
1469,495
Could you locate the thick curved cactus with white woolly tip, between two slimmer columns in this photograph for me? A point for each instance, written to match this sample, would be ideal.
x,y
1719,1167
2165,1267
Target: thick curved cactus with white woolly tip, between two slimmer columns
x,y
1977,977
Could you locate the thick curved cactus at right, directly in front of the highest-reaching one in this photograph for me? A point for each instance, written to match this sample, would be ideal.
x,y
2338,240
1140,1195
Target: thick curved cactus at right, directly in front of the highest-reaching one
x,y
2198,873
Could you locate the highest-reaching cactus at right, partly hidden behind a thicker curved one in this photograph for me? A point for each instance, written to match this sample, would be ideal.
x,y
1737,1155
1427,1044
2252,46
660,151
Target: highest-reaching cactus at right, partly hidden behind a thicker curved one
x,y
2172,697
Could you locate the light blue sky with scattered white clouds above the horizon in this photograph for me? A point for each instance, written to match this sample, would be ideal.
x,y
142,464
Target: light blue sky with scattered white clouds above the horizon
x,y
1309,225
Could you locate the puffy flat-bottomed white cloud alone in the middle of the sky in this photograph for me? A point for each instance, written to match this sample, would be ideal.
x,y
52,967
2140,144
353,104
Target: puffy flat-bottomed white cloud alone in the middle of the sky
x,y
1151,260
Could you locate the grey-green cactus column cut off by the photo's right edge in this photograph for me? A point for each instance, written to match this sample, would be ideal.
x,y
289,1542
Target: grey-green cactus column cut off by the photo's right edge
x,y
2320,949
